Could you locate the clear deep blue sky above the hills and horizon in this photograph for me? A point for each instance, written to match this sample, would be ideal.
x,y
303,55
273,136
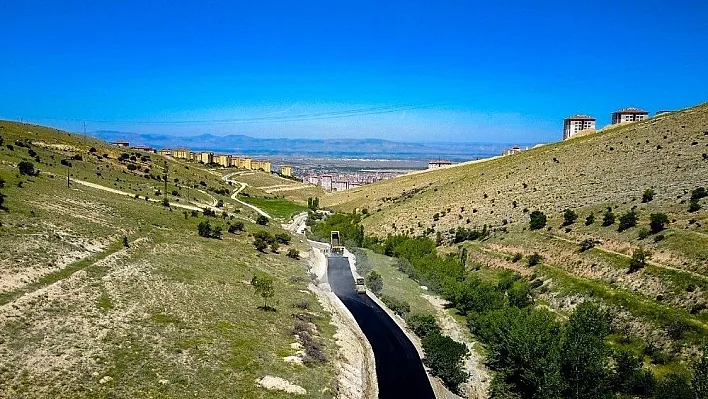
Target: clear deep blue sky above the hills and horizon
x,y
494,71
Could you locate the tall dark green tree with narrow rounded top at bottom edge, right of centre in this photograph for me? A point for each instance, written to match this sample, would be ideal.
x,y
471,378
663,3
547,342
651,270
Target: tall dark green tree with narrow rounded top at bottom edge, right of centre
x,y
585,354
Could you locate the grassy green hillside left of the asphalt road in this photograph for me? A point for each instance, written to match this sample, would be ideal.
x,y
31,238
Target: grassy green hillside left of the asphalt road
x,y
171,314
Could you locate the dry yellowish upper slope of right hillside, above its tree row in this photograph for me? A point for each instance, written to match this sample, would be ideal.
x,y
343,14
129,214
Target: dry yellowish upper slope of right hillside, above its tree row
x,y
612,167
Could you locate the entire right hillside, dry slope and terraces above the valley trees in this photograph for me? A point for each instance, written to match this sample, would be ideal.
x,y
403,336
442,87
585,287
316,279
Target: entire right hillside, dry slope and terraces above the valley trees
x,y
659,300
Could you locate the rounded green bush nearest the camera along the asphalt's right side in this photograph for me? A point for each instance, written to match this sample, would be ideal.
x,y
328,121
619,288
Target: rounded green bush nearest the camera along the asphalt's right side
x,y
445,356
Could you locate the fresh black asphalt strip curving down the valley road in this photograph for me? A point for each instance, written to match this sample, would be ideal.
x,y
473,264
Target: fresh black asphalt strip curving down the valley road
x,y
399,370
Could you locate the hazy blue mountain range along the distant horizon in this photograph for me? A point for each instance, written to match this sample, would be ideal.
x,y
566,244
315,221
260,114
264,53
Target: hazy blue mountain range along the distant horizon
x,y
327,148
